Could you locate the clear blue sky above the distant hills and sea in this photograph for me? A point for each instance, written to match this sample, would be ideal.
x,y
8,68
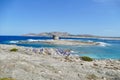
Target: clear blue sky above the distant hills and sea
x,y
97,17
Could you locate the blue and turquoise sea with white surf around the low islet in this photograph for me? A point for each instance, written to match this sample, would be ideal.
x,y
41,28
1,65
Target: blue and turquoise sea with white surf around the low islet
x,y
109,49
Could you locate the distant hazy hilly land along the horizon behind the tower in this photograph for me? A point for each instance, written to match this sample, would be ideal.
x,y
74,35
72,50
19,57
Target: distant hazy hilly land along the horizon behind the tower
x,y
68,35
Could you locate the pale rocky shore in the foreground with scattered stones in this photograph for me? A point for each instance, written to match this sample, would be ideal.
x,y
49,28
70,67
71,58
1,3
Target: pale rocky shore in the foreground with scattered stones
x,y
22,63
